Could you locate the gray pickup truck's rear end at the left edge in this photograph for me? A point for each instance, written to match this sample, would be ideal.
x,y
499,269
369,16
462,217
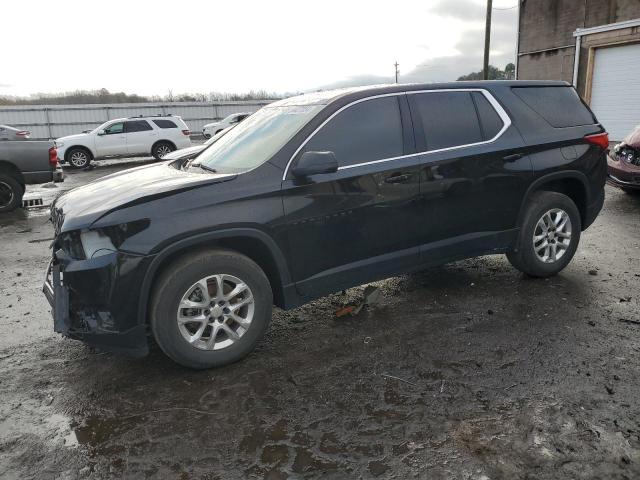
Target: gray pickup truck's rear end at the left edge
x,y
25,162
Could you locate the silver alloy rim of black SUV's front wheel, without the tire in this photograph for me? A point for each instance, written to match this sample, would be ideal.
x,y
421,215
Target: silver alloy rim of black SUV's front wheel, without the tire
x,y
215,312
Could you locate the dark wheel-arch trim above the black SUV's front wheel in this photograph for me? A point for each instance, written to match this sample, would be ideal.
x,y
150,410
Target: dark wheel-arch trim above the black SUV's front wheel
x,y
203,238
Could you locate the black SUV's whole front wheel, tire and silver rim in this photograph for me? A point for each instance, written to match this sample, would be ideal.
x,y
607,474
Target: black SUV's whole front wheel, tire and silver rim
x,y
178,285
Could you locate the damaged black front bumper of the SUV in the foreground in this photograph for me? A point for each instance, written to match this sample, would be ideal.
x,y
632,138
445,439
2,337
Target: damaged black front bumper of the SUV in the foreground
x,y
97,300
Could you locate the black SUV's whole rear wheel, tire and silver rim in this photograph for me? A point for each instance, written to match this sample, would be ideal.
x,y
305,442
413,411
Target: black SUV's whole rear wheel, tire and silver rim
x,y
540,262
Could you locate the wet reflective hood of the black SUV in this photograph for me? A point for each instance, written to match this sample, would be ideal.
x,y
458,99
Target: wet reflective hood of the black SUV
x,y
82,206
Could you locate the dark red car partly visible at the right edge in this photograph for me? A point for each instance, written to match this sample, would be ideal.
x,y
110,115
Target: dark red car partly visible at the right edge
x,y
623,164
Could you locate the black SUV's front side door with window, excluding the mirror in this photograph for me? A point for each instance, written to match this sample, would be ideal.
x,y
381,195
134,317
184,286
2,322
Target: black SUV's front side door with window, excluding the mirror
x,y
346,227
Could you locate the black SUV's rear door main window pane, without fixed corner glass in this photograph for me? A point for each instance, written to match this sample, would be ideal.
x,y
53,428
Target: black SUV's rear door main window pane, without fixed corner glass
x,y
444,120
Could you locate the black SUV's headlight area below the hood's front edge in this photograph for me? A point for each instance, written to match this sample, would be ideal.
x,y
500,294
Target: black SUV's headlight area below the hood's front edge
x,y
93,243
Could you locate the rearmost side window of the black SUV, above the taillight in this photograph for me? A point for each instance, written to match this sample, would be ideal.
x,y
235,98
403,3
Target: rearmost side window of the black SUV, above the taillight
x,y
559,106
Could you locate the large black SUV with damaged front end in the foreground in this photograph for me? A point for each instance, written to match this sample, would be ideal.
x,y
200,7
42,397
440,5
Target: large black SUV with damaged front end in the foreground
x,y
318,193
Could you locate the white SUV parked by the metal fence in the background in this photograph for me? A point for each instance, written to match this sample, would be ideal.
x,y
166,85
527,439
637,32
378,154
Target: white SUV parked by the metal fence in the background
x,y
125,137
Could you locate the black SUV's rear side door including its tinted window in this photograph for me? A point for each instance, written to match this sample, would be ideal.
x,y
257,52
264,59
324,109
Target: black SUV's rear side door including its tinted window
x,y
473,174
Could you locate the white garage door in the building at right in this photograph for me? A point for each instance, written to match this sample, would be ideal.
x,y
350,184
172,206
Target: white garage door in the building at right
x,y
615,89
